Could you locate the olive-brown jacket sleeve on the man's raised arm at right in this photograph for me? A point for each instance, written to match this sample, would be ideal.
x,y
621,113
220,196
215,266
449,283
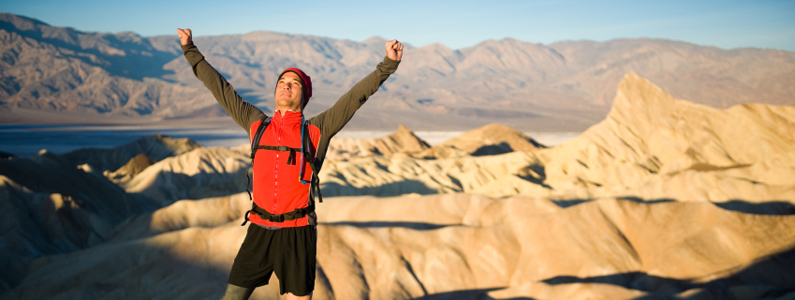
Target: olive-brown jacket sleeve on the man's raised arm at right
x,y
332,120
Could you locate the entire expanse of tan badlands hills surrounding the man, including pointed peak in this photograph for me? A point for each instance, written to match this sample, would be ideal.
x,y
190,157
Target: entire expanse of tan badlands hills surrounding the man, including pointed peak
x,y
664,198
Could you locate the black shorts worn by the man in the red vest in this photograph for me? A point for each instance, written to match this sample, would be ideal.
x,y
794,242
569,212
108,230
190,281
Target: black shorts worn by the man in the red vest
x,y
289,252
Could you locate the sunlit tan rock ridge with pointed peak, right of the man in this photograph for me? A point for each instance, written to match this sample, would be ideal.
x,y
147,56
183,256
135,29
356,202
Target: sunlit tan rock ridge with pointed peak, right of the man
x,y
651,146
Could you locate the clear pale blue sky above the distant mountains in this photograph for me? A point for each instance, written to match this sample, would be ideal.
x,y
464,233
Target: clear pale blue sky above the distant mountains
x,y
456,24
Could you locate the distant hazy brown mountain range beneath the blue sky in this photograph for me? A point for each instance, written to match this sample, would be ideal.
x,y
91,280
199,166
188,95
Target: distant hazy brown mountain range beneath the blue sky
x,y
60,75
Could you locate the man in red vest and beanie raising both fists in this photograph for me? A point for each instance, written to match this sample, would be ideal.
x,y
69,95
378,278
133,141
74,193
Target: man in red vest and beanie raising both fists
x,y
282,238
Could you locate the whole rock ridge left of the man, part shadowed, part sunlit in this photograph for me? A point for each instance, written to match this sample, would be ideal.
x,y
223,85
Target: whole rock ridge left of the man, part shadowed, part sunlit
x,y
52,206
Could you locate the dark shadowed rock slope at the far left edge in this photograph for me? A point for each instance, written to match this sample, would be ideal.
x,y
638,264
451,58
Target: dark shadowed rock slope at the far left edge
x,y
48,206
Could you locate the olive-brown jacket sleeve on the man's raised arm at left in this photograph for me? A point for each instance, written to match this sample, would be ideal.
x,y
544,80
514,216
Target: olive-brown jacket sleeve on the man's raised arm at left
x,y
242,112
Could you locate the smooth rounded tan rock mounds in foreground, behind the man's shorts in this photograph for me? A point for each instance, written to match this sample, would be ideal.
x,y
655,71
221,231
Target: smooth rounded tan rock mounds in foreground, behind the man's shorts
x,y
380,248
